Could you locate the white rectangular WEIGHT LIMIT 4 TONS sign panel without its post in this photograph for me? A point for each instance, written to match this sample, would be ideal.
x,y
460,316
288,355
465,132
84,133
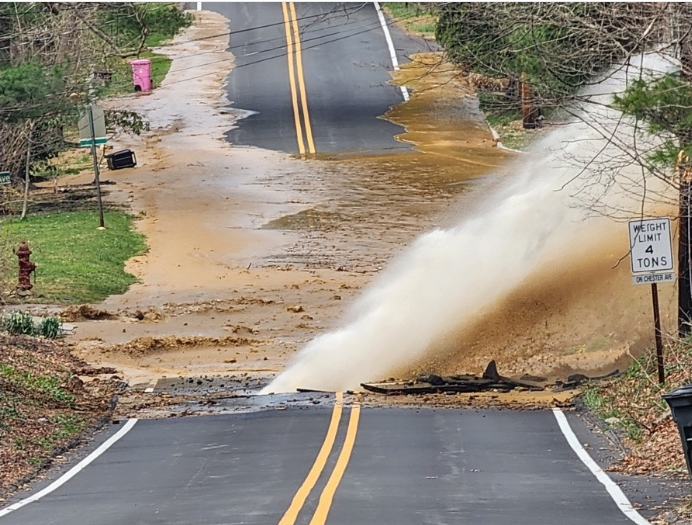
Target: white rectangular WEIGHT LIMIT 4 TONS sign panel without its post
x,y
651,251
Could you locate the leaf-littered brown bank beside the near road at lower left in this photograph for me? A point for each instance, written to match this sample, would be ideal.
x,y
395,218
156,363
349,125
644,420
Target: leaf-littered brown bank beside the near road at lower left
x,y
44,406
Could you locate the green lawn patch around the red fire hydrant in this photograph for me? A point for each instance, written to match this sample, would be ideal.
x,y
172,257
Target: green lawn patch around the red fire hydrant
x,y
76,262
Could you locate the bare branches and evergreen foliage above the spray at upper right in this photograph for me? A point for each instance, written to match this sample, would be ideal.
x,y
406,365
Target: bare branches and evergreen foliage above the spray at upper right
x,y
558,49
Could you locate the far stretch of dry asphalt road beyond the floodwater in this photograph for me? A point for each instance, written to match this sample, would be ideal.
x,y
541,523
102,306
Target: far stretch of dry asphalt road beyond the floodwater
x,y
335,87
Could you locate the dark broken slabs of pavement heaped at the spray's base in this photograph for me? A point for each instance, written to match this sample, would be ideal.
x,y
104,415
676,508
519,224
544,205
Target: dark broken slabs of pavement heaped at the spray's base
x,y
490,381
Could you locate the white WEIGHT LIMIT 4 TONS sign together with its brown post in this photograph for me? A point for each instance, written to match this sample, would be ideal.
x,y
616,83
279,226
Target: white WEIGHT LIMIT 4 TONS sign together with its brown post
x,y
651,258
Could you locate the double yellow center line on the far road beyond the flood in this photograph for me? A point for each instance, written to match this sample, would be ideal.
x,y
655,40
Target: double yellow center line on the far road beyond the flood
x,y
295,71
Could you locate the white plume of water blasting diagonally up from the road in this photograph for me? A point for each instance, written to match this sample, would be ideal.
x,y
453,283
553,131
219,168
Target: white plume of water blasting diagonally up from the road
x,y
449,277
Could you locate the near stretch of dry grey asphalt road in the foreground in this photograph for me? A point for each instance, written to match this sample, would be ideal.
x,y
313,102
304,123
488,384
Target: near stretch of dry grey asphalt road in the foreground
x,y
406,466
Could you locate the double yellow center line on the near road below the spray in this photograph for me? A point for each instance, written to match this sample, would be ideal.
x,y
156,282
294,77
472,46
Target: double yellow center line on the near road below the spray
x,y
325,502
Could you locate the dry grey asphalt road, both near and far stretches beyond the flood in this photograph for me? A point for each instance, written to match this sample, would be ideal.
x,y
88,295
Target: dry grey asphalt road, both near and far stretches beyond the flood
x,y
311,464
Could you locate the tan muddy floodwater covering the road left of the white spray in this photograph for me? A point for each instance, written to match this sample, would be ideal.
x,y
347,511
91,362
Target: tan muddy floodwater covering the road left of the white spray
x,y
251,252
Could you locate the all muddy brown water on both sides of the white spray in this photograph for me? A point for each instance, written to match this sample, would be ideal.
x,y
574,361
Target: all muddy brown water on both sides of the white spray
x,y
270,250
